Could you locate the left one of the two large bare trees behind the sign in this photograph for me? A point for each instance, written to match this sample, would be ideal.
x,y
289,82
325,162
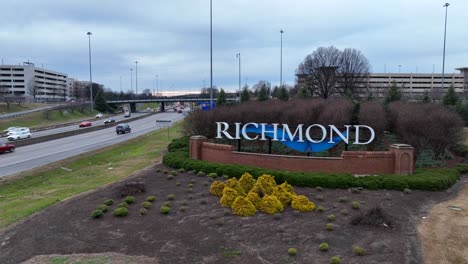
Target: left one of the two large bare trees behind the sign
x,y
320,69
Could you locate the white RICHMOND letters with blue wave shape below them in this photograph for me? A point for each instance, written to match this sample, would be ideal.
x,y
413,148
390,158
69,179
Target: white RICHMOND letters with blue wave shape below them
x,y
300,138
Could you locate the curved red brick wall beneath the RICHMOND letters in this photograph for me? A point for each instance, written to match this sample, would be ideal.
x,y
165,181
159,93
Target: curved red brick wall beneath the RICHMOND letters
x,y
399,160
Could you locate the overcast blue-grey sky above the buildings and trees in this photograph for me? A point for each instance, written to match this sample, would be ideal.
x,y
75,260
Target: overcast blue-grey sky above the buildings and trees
x,y
171,39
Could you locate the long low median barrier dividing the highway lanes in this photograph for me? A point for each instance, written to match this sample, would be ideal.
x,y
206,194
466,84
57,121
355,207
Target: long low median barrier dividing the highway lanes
x,y
35,140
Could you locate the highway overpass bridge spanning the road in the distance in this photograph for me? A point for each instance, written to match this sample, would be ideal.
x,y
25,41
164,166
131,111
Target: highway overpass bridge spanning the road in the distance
x,y
163,101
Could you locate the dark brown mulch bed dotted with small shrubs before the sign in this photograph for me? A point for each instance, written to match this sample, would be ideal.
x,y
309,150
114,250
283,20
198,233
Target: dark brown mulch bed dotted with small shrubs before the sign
x,y
205,232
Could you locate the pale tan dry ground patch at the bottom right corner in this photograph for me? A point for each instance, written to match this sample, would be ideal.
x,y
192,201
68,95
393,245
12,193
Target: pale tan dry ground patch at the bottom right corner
x,y
444,232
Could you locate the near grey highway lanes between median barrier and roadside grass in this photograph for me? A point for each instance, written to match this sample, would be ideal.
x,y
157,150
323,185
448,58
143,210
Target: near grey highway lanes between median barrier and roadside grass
x,y
28,157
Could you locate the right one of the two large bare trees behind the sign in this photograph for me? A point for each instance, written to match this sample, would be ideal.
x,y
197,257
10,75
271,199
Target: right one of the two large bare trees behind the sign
x,y
354,68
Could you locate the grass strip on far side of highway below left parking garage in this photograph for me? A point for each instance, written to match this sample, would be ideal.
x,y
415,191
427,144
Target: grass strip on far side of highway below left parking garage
x,y
38,119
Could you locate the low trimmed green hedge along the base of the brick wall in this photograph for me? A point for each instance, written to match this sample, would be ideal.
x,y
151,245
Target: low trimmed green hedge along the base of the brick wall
x,y
423,179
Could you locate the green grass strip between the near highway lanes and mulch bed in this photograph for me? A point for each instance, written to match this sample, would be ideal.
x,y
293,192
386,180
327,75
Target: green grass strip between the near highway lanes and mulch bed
x,y
44,187
